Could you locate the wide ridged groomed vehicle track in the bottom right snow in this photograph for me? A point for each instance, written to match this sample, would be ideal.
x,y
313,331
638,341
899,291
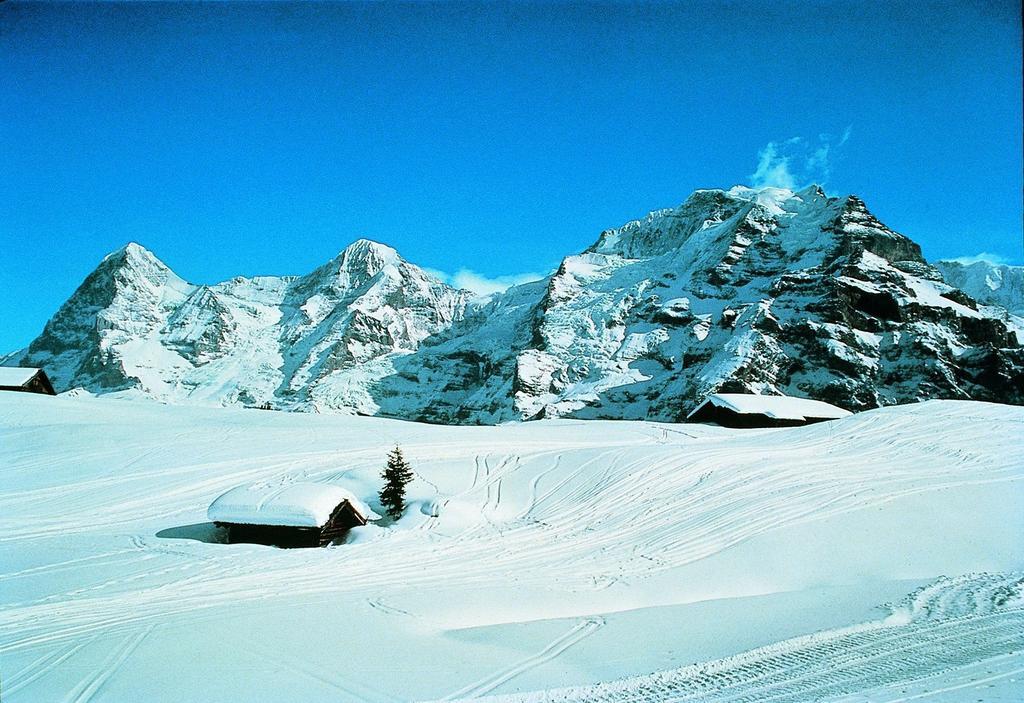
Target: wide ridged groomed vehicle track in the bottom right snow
x,y
956,625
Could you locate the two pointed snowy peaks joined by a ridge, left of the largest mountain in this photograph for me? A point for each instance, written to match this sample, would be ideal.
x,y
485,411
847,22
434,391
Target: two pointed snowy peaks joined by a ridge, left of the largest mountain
x,y
301,343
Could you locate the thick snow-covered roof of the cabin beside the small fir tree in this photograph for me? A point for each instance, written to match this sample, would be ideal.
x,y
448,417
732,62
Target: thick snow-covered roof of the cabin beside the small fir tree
x,y
295,505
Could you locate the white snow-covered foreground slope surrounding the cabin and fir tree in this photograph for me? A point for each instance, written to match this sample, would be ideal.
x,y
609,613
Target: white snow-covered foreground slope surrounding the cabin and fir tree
x,y
877,558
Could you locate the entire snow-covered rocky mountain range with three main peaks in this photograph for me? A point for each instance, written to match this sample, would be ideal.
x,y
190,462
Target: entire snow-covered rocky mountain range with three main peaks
x,y
742,290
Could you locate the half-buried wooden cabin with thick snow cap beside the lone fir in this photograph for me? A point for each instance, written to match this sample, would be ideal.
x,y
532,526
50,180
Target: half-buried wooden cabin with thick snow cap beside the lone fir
x,y
294,515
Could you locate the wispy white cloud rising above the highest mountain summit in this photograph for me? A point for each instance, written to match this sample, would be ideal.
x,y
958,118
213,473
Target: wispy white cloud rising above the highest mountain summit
x,y
798,162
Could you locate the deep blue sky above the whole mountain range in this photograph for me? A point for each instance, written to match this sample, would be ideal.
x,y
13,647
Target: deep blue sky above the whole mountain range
x,y
496,139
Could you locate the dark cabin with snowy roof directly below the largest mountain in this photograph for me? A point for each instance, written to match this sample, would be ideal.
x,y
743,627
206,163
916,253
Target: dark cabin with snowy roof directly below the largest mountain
x,y
750,411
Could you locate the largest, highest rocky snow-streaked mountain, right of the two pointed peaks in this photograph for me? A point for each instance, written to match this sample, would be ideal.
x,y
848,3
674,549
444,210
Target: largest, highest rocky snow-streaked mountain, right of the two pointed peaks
x,y
759,291
